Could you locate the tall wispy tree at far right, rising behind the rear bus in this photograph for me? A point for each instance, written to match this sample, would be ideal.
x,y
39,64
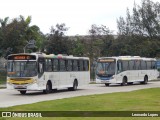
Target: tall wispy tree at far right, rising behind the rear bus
x,y
139,33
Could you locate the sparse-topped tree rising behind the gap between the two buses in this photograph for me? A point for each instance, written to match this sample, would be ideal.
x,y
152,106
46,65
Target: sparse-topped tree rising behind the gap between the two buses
x,y
100,41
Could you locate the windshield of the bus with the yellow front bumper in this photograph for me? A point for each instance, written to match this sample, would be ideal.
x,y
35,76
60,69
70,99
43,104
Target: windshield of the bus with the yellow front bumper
x,y
21,69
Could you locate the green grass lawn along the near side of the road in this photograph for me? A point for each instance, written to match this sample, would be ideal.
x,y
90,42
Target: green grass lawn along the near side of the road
x,y
140,100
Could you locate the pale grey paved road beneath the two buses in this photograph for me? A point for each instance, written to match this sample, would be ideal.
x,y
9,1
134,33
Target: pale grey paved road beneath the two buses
x,y
12,98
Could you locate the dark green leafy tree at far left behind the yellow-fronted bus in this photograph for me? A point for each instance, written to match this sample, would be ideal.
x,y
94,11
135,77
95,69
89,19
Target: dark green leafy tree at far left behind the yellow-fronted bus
x,y
15,35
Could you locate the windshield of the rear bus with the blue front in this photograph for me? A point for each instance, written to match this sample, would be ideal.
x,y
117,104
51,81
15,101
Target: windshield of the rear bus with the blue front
x,y
105,68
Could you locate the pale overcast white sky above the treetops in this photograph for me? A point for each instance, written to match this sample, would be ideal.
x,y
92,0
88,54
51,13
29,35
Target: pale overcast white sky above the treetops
x,y
78,15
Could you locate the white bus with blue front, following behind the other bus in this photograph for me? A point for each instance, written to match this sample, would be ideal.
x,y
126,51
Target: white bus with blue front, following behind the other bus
x,y
125,70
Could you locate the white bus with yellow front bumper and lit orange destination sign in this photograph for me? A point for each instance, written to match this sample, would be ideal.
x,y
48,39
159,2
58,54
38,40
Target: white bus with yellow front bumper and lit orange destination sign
x,y
35,71
